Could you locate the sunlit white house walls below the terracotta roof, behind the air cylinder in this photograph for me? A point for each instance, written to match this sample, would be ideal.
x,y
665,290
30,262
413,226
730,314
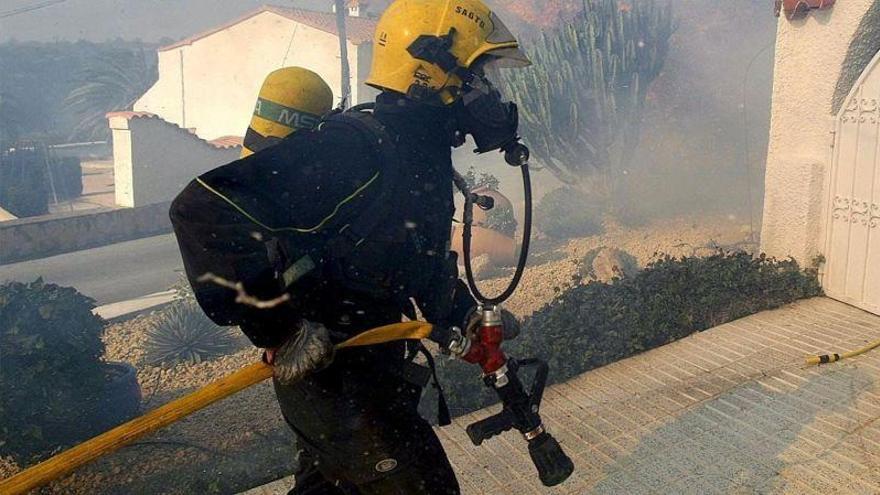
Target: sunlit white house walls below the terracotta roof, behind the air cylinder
x,y
208,83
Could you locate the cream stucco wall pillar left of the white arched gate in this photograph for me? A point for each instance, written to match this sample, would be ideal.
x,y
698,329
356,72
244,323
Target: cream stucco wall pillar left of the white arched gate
x,y
809,54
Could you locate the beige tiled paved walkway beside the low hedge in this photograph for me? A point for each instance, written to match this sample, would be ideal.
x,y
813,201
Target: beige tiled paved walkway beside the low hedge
x,y
729,411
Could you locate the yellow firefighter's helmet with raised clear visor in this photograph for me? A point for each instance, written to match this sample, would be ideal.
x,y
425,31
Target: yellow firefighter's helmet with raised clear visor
x,y
415,38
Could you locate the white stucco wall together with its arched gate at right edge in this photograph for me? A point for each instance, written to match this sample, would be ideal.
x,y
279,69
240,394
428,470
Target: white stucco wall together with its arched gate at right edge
x,y
822,197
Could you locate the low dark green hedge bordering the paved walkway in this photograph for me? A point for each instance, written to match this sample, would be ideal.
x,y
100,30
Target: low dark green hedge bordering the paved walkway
x,y
588,326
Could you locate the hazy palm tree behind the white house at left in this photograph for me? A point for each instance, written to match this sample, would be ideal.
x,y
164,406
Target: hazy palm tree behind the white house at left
x,y
111,82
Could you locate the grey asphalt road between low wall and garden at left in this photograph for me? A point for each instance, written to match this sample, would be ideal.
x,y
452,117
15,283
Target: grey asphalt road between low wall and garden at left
x,y
108,274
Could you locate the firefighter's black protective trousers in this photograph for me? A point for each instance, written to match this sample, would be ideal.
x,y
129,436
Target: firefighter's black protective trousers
x,y
360,432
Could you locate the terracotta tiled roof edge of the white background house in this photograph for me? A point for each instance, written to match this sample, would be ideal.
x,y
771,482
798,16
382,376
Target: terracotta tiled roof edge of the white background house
x,y
358,29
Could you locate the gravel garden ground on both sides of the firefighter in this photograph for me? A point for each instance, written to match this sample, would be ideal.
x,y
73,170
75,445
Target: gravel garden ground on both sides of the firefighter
x,y
243,442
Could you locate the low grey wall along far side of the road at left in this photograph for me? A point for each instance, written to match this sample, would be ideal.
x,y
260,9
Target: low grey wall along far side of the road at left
x,y
48,235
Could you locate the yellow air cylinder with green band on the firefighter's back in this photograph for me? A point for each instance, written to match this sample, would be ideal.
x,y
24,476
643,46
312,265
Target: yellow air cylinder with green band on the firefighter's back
x,y
291,99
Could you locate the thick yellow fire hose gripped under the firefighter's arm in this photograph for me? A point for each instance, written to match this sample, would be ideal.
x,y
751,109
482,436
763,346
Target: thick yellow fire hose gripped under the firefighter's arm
x,y
69,460
